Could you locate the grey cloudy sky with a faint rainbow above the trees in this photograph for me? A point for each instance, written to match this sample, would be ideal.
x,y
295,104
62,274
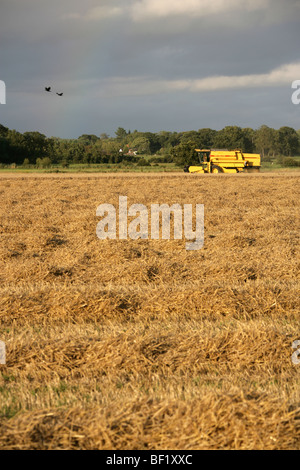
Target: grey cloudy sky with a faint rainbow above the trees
x,y
148,65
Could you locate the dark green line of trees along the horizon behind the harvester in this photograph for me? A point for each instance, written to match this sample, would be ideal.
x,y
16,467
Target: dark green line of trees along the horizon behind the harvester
x,y
34,148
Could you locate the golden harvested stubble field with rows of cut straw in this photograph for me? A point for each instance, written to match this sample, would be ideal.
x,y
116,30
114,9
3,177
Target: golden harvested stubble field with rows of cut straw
x,y
141,344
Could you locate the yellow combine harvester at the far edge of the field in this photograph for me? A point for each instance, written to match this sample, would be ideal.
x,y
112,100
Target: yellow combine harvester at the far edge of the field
x,y
224,161
